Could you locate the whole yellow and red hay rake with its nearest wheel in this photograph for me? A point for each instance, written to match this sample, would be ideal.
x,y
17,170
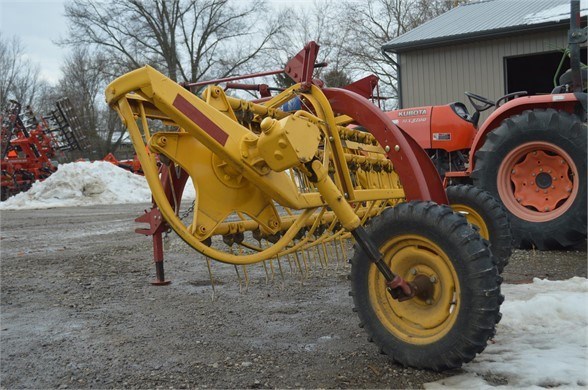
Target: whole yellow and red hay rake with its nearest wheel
x,y
273,184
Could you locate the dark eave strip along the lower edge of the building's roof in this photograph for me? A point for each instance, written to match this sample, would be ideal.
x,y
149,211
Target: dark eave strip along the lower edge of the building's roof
x,y
464,38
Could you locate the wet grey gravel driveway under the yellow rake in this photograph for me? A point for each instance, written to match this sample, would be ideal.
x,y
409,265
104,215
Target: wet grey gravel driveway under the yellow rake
x,y
78,311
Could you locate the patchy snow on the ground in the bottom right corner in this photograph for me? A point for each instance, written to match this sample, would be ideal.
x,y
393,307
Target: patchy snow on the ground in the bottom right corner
x,y
541,341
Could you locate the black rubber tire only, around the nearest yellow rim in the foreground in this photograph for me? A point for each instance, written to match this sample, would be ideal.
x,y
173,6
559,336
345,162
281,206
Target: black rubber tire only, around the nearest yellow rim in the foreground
x,y
480,300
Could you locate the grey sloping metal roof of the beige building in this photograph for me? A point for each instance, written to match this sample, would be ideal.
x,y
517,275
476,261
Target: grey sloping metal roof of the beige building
x,y
486,19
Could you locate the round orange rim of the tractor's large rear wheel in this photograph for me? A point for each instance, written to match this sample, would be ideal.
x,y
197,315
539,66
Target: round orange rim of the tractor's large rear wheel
x,y
538,181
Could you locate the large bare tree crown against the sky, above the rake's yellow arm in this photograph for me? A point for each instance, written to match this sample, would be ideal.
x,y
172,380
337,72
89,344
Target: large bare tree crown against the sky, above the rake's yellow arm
x,y
186,39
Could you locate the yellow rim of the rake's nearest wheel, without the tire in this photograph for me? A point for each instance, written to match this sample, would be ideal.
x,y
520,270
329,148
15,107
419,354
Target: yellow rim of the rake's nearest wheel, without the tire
x,y
422,319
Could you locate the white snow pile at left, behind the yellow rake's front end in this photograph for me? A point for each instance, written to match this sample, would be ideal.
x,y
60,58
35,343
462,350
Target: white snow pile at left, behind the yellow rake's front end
x,y
86,184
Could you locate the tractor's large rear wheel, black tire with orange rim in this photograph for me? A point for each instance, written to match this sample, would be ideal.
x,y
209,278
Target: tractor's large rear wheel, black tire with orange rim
x,y
535,164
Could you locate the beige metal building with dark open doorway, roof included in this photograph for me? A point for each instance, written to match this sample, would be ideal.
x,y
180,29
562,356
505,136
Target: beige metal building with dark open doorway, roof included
x,y
490,48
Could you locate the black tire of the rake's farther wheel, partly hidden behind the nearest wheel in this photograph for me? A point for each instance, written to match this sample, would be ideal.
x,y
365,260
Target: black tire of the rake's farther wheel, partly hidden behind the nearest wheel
x,y
494,215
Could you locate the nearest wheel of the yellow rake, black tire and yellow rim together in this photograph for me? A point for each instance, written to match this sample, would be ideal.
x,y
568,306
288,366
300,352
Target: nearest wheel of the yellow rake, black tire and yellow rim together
x,y
457,316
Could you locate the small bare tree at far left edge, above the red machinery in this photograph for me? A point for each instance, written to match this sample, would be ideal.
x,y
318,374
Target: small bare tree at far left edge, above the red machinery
x,y
19,77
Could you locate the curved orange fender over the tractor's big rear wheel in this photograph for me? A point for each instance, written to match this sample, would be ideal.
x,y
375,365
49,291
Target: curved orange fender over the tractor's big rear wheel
x,y
569,102
